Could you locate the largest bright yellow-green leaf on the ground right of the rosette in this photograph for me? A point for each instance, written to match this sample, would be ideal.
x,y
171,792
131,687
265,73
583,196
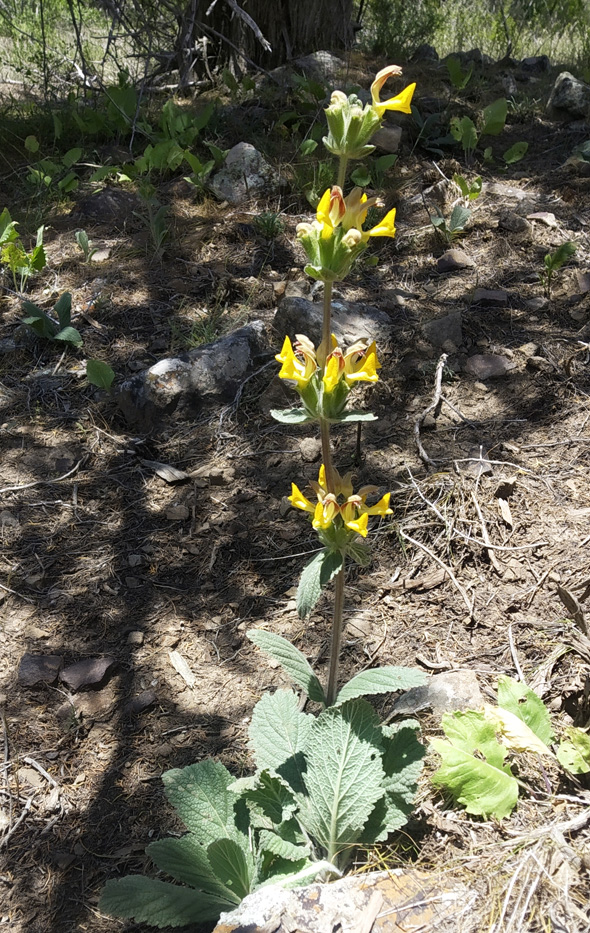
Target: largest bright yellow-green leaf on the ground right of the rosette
x,y
484,787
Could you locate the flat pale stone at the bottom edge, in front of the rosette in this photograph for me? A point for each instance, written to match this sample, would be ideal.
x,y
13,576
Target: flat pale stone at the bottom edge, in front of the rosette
x,y
382,902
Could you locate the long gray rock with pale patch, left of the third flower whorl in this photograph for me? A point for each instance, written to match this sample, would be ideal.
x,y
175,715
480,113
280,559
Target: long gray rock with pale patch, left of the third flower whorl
x,y
181,384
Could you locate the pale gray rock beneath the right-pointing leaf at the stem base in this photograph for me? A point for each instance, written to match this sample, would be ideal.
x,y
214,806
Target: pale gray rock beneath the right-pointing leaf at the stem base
x,y
444,692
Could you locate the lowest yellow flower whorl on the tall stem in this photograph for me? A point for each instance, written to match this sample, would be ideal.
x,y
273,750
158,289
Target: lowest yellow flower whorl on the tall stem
x,y
341,515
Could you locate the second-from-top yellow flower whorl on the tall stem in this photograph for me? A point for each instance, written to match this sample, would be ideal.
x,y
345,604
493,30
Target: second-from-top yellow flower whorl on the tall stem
x,y
336,237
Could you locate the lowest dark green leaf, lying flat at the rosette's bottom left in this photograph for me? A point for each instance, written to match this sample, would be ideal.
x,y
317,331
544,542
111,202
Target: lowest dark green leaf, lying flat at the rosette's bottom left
x,y
146,900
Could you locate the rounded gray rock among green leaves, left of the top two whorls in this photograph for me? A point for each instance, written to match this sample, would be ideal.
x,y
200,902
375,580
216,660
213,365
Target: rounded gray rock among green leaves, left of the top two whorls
x,y
245,174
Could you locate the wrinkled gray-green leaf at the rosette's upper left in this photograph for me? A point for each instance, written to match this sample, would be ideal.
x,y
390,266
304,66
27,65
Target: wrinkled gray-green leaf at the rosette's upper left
x,y
200,795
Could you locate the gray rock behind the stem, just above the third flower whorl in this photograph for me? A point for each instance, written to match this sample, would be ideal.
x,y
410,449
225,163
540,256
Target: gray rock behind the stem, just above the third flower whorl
x,y
350,320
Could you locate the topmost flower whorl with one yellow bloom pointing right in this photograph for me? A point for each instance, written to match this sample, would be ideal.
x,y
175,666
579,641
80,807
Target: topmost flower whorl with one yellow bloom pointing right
x,y
351,125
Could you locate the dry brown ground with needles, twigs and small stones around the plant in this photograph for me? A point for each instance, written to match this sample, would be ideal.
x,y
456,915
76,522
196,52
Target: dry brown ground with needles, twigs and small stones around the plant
x,y
142,536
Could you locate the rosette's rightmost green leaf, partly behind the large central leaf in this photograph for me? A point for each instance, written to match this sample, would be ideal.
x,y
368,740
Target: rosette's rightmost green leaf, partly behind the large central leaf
x,y
402,762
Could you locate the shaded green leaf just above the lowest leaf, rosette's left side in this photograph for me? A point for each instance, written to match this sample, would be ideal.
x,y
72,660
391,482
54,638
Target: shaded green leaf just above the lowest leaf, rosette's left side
x,y
186,861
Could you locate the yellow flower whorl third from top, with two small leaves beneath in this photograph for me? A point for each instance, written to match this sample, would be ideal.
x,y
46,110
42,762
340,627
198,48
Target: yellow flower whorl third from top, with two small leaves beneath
x,y
323,377
